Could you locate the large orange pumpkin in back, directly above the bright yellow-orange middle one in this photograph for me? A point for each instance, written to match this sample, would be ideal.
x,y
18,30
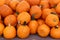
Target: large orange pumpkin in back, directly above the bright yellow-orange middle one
x,y
22,6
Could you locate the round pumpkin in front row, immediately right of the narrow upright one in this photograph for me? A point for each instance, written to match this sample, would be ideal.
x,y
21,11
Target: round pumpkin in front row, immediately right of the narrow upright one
x,y
43,30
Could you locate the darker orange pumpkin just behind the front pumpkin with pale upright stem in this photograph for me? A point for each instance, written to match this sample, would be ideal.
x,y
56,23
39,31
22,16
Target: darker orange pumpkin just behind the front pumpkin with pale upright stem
x,y
11,19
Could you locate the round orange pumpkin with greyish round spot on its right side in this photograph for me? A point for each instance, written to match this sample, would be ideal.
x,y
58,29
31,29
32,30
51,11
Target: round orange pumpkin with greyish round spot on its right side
x,y
52,20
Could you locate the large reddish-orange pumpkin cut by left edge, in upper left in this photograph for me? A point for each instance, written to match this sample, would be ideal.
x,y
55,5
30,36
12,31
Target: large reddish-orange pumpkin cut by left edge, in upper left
x,y
5,10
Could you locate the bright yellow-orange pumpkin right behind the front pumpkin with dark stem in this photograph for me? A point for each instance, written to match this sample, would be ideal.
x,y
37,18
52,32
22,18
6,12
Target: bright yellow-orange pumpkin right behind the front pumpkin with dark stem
x,y
24,16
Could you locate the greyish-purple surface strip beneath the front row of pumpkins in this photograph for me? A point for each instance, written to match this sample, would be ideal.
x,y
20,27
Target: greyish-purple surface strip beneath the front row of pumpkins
x,y
31,37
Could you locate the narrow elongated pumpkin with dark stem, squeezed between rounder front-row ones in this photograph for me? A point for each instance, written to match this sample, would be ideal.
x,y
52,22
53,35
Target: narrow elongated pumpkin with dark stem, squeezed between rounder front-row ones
x,y
33,25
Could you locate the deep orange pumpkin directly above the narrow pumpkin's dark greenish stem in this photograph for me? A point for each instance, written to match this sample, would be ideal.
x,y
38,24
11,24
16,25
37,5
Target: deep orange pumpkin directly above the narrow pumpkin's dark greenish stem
x,y
36,11
